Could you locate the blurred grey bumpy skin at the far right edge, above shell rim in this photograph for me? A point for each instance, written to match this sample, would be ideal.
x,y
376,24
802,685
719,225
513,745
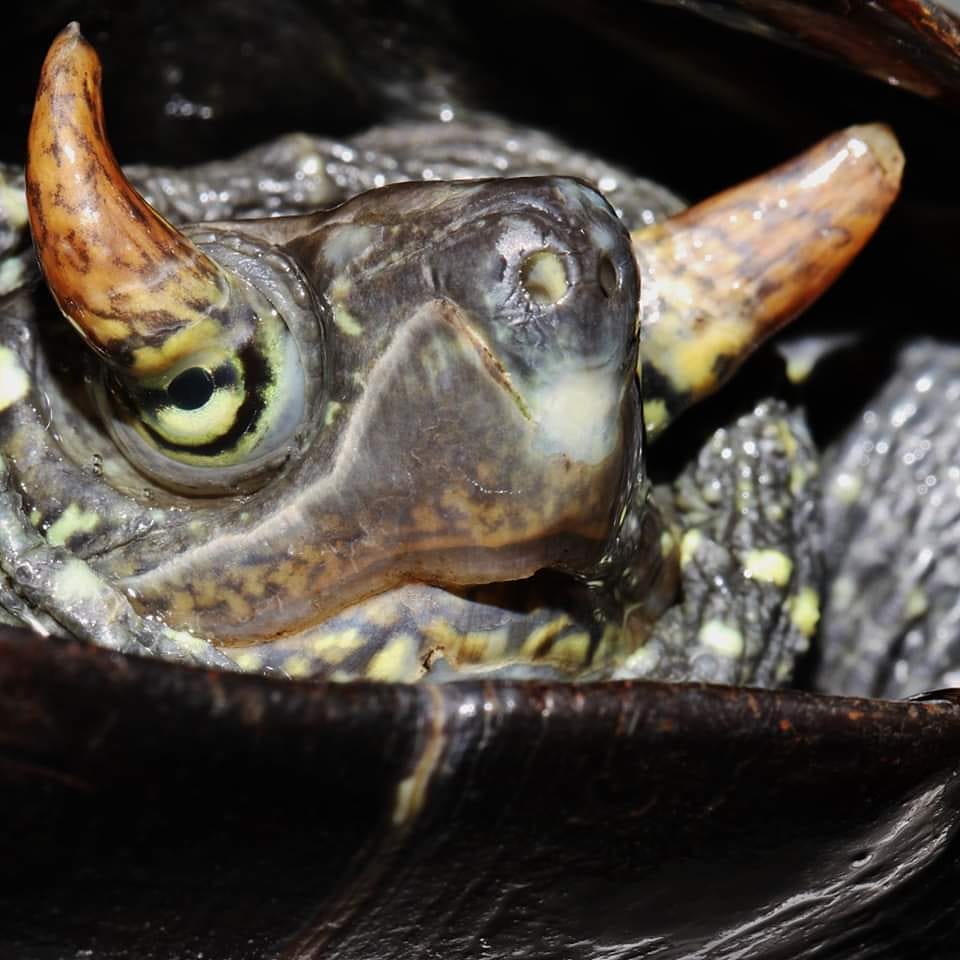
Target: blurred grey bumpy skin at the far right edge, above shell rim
x,y
892,505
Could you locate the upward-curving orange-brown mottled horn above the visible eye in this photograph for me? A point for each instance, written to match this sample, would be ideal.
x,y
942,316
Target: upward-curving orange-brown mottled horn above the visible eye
x,y
136,289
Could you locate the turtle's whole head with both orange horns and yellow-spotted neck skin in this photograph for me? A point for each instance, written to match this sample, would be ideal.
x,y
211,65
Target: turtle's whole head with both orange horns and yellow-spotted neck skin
x,y
318,530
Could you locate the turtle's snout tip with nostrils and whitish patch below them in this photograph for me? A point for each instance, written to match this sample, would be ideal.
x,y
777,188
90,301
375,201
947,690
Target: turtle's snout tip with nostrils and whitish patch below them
x,y
571,343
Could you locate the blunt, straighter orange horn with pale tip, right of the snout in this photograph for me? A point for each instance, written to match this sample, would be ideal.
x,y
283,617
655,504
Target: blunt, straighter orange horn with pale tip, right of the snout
x,y
719,278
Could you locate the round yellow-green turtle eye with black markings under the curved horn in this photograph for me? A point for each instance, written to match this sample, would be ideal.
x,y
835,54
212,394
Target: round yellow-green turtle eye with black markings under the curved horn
x,y
218,420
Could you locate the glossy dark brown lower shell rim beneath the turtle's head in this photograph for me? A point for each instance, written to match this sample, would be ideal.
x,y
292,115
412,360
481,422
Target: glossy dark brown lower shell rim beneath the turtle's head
x,y
158,811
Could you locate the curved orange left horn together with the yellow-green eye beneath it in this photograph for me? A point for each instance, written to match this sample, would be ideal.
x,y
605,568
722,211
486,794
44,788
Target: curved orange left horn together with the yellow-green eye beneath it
x,y
203,384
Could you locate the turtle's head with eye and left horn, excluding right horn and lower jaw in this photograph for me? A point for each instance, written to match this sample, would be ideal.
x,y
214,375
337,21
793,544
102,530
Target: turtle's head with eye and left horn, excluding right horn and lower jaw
x,y
431,382
